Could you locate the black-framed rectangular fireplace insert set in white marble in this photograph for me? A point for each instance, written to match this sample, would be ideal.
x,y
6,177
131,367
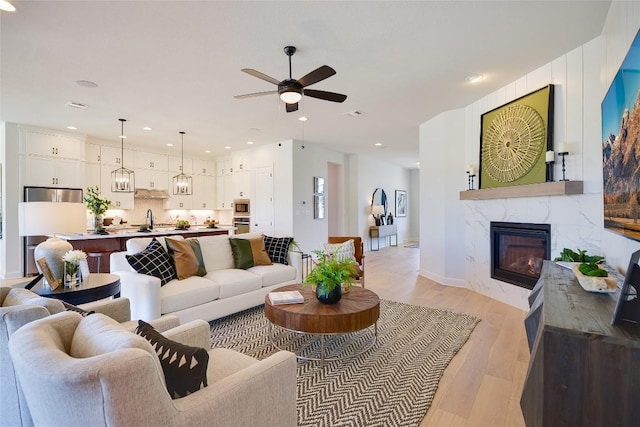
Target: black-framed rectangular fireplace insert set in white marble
x,y
517,251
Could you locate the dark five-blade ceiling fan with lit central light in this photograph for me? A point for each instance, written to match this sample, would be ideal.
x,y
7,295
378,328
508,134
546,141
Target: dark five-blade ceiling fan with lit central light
x,y
291,90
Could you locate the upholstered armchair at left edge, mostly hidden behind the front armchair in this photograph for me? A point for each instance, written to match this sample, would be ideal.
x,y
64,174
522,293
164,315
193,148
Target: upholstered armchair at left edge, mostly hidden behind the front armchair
x,y
20,306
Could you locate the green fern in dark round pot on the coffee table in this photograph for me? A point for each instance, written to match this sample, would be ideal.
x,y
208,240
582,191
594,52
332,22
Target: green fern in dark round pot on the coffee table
x,y
329,275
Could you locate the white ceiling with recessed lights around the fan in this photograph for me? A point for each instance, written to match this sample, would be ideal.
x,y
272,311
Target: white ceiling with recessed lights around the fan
x,y
175,65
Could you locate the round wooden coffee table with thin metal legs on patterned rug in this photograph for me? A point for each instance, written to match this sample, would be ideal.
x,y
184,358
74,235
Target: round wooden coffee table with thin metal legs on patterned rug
x,y
357,310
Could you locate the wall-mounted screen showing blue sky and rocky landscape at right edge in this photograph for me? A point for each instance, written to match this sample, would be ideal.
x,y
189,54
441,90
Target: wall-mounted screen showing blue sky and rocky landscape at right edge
x,y
621,147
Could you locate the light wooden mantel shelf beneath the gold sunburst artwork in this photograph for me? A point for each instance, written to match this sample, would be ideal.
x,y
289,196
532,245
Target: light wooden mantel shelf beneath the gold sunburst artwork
x,y
557,188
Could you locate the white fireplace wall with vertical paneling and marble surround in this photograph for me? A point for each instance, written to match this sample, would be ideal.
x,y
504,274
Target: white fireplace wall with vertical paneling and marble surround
x,y
581,78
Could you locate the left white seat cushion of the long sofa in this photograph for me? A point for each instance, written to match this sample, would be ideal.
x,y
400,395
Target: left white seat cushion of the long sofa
x,y
181,294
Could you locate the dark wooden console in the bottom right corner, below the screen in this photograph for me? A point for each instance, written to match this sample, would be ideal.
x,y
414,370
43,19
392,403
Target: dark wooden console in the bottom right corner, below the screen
x,y
583,370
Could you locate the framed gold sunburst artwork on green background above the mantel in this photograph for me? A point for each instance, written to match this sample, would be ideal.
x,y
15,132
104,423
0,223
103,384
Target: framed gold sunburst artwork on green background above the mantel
x,y
514,139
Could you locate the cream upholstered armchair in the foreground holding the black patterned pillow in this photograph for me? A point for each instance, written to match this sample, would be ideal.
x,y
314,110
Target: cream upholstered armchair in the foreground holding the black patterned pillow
x,y
79,371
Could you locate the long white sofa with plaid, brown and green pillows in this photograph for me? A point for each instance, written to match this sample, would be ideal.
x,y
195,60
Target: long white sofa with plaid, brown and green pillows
x,y
222,291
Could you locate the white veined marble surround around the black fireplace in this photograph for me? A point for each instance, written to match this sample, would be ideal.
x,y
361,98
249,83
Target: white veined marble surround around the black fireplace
x,y
576,222
